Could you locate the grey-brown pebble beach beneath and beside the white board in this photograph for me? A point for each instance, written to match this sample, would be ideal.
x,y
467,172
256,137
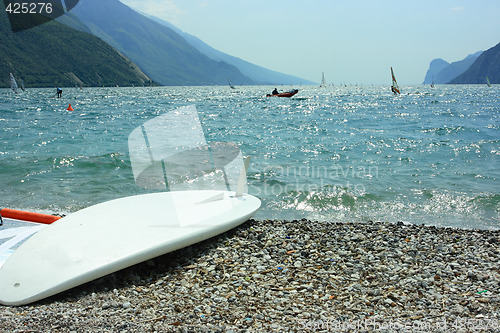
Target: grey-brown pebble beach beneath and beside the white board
x,y
292,276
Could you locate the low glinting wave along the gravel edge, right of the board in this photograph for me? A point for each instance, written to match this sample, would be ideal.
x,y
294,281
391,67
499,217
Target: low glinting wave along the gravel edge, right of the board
x,y
341,204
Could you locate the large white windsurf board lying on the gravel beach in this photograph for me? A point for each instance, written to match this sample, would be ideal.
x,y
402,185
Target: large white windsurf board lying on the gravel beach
x,y
113,235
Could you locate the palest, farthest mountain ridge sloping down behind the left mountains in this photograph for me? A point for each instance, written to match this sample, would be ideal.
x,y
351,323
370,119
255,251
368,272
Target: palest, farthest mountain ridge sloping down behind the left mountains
x,y
259,74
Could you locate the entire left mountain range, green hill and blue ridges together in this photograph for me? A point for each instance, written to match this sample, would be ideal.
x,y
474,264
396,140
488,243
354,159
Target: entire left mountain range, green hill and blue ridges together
x,y
104,42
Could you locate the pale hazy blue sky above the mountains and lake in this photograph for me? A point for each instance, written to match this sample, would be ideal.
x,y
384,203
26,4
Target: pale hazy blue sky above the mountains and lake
x,y
352,42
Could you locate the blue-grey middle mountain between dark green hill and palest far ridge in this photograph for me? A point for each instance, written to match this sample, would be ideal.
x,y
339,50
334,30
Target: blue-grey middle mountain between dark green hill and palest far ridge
x,y
157,50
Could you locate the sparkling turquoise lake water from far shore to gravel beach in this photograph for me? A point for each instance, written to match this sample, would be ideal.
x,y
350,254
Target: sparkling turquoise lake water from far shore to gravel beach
x,y
356,153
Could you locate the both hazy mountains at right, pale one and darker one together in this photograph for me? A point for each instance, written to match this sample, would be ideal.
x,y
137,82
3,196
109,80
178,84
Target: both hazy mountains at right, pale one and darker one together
x,y
472,70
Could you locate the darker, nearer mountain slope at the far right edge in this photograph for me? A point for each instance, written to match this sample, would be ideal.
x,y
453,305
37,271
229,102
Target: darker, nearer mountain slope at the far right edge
x,y
487,65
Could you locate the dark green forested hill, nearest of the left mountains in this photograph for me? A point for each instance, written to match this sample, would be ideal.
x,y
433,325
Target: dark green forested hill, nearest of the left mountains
x,y
54,55
